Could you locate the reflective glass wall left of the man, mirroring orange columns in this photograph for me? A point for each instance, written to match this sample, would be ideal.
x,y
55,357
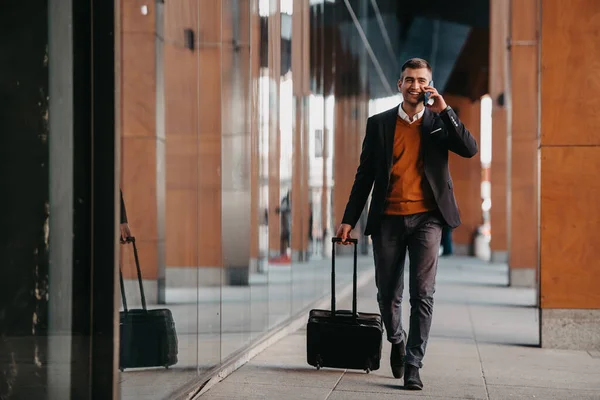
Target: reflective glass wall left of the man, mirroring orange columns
x,y
238,118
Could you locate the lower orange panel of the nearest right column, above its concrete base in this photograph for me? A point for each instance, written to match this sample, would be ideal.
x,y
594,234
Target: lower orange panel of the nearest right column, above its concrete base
x,y
570,273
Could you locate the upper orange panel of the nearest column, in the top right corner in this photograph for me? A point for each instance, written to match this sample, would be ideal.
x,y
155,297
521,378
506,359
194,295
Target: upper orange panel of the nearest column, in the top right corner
x,y
571,72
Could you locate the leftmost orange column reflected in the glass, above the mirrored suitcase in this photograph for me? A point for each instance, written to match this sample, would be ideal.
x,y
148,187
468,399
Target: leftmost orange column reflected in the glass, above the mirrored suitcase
x,y
139,140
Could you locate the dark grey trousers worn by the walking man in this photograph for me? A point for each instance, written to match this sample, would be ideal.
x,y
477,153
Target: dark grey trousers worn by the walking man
x,y
420,234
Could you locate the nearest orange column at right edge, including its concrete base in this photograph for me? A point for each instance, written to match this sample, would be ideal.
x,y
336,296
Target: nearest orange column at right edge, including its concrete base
x,y
570,164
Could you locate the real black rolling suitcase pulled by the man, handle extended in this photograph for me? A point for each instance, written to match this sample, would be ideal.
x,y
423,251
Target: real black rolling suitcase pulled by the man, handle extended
x,y
342,338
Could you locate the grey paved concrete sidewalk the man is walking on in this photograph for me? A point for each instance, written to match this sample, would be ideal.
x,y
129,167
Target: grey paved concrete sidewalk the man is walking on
x,y
483,345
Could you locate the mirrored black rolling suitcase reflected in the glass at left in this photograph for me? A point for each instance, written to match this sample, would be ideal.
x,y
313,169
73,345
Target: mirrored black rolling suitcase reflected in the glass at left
x,y
148,337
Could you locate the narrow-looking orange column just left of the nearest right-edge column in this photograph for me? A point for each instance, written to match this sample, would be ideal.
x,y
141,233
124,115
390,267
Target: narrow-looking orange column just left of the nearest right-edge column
x,y
523,240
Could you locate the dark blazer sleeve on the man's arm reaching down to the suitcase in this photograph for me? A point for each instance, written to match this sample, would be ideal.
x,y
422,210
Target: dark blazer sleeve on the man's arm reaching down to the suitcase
x,y
365,176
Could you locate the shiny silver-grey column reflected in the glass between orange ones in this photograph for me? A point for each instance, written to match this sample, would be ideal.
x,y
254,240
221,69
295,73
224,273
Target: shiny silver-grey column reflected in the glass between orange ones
x,y
235,108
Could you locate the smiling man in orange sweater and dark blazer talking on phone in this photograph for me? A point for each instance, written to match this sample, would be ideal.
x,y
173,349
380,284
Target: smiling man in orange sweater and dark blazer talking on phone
x,y
404,160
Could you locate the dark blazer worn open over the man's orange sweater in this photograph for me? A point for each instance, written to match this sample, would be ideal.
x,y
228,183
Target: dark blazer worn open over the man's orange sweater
x,y
440,133
